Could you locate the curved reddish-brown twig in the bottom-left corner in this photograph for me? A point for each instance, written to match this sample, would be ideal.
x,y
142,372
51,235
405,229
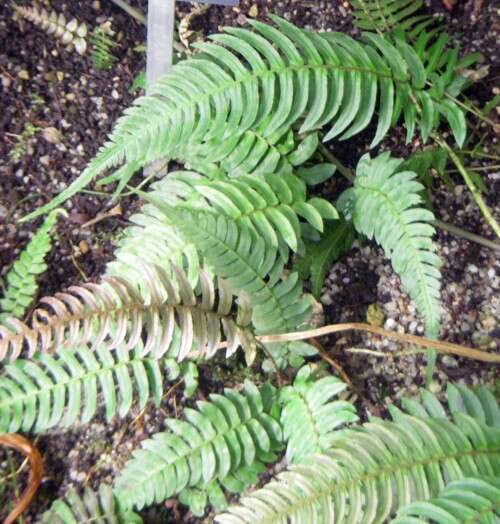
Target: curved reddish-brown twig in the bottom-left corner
x,y
22,445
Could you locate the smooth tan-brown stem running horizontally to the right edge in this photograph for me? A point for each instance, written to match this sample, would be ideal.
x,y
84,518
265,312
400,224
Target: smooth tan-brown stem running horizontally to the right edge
x,y
442,347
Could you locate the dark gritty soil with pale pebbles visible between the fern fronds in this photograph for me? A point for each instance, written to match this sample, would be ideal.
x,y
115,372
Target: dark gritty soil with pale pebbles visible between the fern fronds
x,y
52,88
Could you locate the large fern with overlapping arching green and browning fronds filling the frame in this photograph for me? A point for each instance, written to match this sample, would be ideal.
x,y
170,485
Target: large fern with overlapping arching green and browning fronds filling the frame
x,y
206,266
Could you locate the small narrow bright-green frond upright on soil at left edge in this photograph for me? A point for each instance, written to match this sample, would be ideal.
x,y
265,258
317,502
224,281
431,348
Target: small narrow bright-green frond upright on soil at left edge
x,y
22,284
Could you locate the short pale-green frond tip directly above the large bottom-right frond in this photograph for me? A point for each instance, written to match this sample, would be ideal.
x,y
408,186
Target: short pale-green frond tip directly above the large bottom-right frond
x,y
309,415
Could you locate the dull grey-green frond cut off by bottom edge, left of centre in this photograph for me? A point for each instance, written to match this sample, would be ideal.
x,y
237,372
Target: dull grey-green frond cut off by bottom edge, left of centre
x,y
101,507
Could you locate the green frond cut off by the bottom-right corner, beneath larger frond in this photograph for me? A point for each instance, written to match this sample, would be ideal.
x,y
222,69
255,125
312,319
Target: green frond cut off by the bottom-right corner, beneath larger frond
x,y
466,501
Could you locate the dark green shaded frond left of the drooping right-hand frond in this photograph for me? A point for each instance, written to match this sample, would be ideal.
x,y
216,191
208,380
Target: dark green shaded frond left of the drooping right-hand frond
x,y
319,256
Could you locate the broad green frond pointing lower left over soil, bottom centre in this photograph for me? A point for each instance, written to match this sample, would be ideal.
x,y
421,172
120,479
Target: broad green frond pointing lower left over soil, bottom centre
x,y
222,434
